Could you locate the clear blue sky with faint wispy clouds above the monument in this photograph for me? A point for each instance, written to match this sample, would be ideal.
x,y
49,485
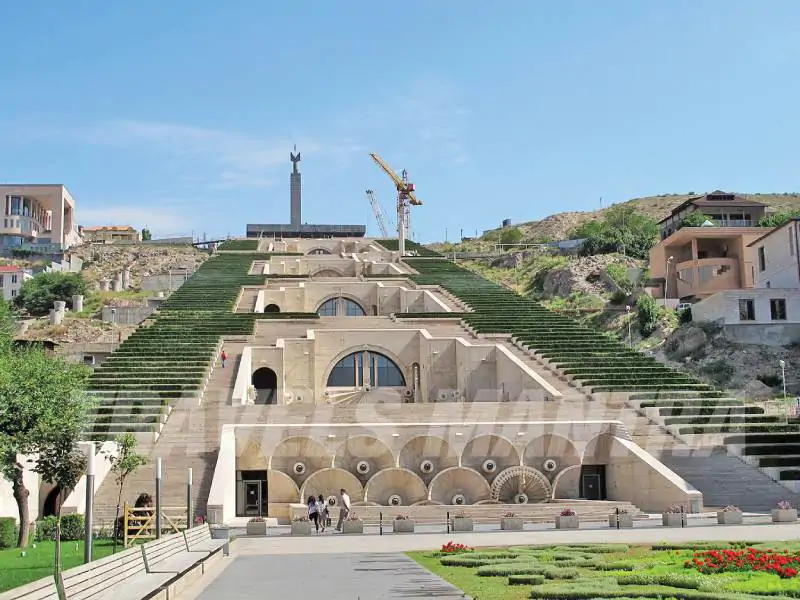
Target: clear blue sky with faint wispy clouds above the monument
x,y
180,115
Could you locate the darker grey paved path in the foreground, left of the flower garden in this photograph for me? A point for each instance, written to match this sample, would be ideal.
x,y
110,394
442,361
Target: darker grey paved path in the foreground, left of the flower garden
x,y
329,577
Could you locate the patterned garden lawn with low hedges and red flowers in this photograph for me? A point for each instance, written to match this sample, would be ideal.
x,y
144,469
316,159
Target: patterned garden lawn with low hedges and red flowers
x,y
579,572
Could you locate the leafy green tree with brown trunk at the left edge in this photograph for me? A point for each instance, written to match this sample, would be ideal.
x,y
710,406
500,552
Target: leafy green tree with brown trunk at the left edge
x,y
42,410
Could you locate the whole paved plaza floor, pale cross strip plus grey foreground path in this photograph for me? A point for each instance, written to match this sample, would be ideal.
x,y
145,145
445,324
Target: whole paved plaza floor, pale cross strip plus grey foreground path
x,y
372,567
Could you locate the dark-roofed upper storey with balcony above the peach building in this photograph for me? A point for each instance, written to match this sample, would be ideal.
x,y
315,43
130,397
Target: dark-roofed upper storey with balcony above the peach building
x,y
723,209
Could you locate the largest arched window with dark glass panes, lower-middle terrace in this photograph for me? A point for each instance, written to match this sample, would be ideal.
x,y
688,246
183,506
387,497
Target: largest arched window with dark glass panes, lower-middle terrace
x,y
361,368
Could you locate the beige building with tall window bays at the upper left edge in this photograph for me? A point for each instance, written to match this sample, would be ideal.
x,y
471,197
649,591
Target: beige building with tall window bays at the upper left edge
x,y
37,217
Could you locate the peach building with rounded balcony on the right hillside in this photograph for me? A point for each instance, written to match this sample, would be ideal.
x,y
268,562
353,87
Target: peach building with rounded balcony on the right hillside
x,y
695,262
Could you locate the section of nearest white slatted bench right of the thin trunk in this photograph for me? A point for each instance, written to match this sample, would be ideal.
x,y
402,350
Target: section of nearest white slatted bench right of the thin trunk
x,y
122,576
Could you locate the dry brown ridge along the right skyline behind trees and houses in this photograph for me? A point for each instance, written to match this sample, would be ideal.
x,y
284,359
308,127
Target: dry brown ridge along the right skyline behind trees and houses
x,y
557,226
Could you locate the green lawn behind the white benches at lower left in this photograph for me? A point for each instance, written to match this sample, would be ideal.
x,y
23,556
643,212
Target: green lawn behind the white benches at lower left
x,y
17,570
